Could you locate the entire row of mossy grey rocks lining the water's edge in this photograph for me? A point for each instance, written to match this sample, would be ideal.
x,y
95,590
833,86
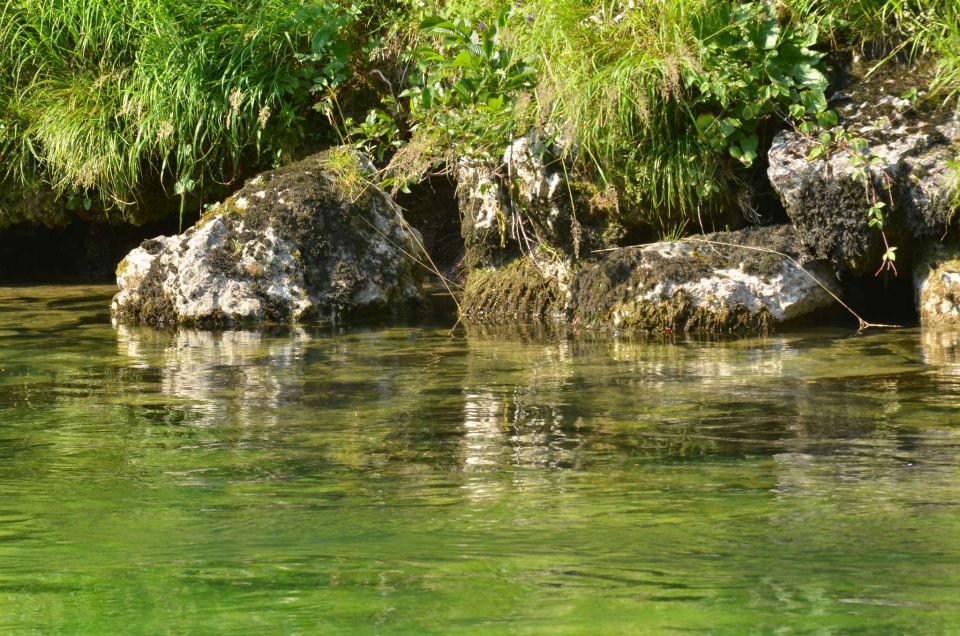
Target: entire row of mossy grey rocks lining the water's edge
x,y
318,241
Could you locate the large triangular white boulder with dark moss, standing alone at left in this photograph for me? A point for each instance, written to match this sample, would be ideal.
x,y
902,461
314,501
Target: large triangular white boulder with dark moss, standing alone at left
x,y
312,241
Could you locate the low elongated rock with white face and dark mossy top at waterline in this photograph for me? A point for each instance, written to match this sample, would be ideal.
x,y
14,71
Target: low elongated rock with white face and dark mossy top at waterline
x,y
700,286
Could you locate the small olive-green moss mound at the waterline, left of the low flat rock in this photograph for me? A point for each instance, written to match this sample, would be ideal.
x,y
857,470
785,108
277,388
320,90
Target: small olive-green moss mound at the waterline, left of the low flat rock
x,y
516,291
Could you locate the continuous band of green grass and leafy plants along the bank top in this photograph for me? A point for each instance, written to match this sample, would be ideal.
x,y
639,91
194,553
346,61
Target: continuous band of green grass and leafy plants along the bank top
x,y
668,103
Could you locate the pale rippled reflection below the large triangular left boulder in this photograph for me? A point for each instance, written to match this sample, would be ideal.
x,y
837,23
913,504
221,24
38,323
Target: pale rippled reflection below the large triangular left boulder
x,y
240,376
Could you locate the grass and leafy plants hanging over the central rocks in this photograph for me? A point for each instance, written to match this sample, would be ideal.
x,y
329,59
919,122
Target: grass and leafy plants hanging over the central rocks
x,y
665,102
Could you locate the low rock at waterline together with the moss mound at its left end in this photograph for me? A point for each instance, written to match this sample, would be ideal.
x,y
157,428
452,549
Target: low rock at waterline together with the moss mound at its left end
x,y
728,282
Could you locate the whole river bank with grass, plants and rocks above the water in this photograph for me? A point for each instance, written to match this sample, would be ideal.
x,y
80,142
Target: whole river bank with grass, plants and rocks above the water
x,y
504,170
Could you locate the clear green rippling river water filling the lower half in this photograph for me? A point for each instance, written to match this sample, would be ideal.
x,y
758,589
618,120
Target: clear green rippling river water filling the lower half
x,y
414,480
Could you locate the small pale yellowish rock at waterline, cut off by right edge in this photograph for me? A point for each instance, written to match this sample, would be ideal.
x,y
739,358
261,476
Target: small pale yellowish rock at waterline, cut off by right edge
x,y
937,286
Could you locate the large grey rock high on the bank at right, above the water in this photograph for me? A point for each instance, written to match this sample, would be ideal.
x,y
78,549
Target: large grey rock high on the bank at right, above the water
x,y
828,203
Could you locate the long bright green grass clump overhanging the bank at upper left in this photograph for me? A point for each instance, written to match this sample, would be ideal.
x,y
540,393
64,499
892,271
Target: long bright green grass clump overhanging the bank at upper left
x,y
100,97
